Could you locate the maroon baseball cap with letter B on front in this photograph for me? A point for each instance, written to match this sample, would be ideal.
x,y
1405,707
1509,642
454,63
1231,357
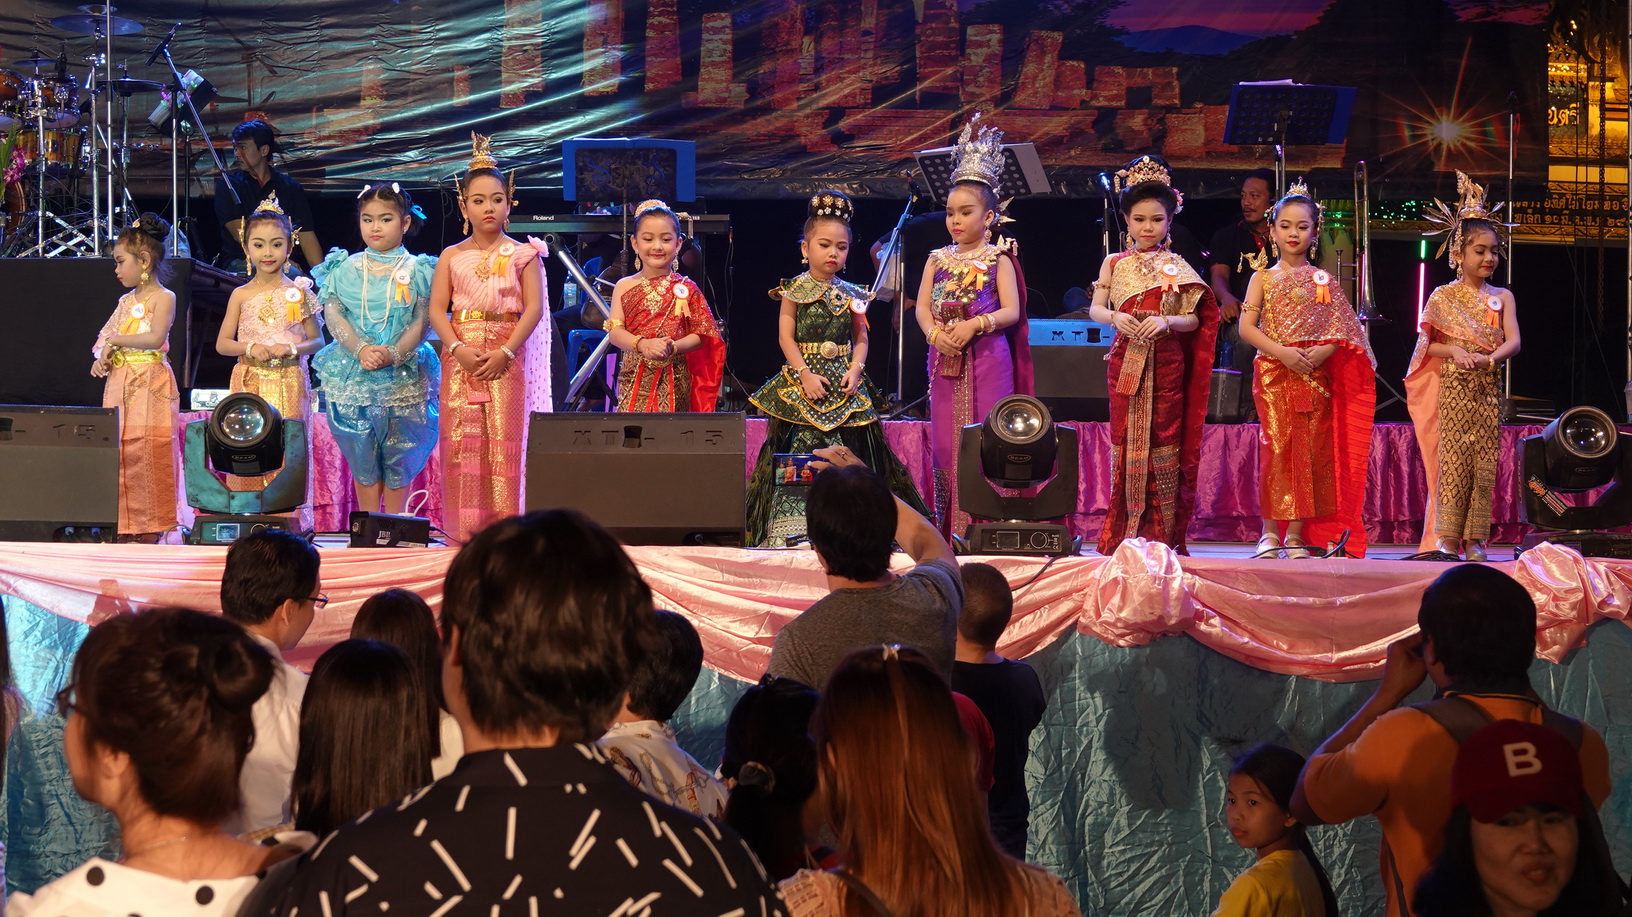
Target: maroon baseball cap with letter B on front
x,y
1514,764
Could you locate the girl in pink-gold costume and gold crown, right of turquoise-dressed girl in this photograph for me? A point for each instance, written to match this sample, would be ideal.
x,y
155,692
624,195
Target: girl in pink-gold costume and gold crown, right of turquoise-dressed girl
x,y
495,368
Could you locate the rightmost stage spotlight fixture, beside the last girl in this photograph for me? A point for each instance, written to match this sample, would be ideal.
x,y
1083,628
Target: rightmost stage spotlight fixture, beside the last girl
x,y
1577,453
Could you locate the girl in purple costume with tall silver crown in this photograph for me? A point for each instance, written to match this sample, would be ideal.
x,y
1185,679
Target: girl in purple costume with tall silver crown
x,y
972,309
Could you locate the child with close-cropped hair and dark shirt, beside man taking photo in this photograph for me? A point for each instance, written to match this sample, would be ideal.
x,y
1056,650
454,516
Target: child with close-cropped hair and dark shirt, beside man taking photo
x,y
1006,691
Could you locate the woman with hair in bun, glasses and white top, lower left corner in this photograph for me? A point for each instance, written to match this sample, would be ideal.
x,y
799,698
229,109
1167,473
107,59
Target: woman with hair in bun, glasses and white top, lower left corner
x,y
157,727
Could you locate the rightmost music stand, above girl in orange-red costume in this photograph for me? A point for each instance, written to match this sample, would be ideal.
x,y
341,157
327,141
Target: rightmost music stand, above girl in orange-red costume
x,y
1284,113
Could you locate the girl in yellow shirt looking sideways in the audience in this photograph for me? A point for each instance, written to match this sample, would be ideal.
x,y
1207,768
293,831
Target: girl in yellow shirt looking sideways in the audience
x,y
1288,879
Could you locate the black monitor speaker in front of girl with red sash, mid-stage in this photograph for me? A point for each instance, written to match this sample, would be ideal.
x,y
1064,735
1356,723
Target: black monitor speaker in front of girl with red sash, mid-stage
x,y
649,479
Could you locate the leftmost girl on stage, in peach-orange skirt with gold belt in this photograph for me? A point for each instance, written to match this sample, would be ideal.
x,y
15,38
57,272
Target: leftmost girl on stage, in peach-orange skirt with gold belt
x,y
131,353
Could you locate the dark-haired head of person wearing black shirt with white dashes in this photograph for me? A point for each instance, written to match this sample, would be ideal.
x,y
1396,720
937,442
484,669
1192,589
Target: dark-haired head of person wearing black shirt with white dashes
x,y
544,624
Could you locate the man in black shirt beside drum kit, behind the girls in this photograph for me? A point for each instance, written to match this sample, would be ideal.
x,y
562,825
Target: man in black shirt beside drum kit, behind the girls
x,y
254,146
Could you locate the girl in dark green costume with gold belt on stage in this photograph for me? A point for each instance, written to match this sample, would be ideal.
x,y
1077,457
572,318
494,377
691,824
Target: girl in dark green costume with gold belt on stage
x,y
822,397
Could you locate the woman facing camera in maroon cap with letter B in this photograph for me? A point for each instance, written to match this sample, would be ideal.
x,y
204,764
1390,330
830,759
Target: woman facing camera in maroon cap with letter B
x,y
1523,836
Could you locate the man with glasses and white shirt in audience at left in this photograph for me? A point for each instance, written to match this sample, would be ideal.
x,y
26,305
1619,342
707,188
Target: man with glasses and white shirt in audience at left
x,y
272,588
